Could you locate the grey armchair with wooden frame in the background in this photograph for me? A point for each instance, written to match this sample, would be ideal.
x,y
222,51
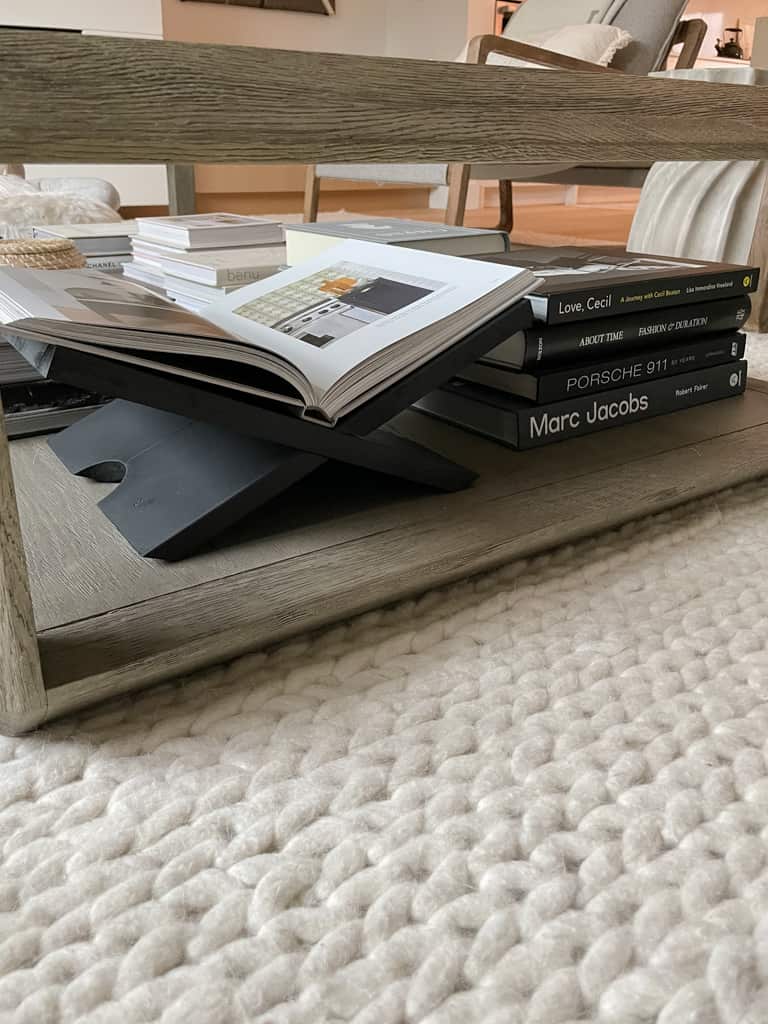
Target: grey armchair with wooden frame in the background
x,y
655,26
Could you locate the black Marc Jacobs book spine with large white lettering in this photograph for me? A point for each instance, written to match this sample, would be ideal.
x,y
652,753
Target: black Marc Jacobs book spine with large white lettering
x,y
559,421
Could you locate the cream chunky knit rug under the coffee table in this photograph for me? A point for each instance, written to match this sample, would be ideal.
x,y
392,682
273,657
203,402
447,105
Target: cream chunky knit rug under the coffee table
x,y
540,796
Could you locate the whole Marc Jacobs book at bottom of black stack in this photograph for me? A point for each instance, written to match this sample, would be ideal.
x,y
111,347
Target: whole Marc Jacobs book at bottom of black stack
x,y
521,424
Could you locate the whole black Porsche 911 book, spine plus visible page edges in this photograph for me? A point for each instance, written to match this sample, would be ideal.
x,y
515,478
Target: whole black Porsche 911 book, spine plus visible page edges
x,y
590,378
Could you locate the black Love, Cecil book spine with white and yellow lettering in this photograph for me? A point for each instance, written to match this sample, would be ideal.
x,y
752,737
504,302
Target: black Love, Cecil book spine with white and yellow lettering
x,y
621,298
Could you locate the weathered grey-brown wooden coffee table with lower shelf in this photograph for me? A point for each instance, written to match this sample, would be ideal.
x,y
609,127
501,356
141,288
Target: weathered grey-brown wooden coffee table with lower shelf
x,y
81,616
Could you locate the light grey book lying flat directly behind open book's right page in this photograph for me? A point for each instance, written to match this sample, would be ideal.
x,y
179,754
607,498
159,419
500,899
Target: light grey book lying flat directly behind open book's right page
x,y
306,241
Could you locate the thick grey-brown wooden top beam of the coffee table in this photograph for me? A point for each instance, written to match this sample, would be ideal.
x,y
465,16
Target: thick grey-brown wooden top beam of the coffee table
x,y
178,103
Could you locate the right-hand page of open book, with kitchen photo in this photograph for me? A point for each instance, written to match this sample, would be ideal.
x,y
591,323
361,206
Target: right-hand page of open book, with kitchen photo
x,y
331,314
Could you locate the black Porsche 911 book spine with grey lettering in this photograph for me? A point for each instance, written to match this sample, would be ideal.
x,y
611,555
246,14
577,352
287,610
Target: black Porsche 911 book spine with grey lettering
x,y
593,378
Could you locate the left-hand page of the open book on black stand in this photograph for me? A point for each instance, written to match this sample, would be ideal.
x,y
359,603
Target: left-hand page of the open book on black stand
x,y
95,298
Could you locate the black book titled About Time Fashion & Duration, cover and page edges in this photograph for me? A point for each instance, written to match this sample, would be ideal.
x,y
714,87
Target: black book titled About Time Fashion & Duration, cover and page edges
x,y
541,347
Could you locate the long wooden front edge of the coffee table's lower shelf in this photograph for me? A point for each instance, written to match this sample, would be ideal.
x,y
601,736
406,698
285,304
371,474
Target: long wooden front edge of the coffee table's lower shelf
x,y
149,642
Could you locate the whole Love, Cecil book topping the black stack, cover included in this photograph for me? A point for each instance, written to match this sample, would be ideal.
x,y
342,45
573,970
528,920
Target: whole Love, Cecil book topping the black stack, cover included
x,y
586,284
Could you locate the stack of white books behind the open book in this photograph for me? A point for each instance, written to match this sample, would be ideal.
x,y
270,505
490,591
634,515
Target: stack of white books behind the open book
x,y
202,258
